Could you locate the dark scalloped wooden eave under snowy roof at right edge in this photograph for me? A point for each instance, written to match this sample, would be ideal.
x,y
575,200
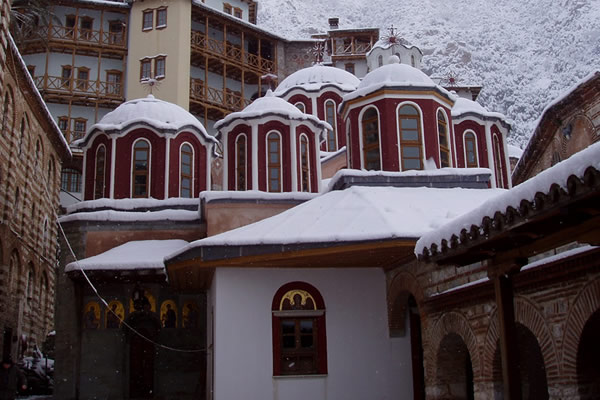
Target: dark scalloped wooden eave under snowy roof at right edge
x,y
553,219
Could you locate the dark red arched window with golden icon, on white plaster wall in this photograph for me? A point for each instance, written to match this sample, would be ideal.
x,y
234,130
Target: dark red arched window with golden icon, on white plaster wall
x,y
299,336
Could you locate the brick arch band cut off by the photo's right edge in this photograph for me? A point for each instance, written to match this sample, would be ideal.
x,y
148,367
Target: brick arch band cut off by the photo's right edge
x,y
585,304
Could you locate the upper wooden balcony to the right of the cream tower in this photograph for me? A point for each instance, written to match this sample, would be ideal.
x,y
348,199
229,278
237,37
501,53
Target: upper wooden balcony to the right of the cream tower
x,y
231,52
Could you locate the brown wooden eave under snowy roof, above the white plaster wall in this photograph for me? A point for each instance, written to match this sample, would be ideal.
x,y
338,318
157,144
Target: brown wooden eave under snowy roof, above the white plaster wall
x,y
194,269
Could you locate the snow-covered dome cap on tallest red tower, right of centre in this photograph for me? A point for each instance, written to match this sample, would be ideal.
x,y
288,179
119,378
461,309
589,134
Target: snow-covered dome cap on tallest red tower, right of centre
x,y
400,74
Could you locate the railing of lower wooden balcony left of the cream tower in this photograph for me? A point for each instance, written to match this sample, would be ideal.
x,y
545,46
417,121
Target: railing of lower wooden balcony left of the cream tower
x,y
80,87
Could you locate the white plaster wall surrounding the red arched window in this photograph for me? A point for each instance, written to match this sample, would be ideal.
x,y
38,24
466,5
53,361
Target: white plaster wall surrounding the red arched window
x,y
363,362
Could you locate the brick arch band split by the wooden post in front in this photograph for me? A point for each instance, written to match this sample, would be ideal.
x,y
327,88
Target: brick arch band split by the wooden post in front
x,y
528,315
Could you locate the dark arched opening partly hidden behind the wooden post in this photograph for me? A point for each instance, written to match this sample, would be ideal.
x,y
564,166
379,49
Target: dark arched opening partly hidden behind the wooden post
x,y
532,369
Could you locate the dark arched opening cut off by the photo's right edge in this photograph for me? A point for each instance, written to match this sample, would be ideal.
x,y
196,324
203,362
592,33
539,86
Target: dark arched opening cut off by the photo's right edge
x,y
588,354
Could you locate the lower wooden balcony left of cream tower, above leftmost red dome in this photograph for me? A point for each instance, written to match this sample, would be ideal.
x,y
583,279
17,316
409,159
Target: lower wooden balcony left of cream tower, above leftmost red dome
x,y
79,91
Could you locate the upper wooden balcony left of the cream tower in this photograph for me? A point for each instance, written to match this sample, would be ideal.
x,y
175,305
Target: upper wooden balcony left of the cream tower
x,y
82,40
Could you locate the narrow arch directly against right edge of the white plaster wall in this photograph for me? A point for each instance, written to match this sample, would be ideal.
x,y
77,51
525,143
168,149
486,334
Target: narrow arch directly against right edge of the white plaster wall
x,y
400,289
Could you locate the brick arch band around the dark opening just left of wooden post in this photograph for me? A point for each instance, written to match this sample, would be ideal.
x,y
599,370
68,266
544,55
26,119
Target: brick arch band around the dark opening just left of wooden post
x,y
452,323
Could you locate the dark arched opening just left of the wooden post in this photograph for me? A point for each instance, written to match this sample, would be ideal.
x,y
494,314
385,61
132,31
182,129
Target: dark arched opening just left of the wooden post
x,y
454,377
